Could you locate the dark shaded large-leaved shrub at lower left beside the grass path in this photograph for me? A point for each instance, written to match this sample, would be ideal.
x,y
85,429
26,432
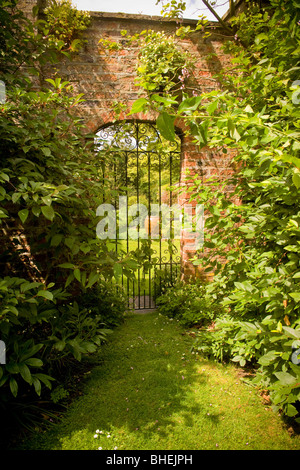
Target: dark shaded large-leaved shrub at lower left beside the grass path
x,y
41,332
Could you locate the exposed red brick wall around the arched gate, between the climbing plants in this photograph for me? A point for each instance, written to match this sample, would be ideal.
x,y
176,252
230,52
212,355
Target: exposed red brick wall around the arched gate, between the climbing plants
x,y
108,77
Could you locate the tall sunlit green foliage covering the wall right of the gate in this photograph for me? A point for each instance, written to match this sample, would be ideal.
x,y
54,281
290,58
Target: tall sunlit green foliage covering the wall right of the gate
x,y
252,219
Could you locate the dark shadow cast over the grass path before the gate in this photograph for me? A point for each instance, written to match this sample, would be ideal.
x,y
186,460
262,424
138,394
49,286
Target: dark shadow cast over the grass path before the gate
x,y
141,389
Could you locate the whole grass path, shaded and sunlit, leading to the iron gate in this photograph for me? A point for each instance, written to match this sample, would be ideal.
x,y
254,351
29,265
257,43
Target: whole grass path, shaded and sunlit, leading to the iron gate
x,y
150,393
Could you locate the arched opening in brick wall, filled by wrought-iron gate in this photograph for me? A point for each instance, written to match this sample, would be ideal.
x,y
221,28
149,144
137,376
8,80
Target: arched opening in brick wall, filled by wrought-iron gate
x,y
142,171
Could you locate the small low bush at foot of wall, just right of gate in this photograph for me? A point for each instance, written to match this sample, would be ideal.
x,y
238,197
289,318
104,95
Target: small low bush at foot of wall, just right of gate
x,y
186,303
